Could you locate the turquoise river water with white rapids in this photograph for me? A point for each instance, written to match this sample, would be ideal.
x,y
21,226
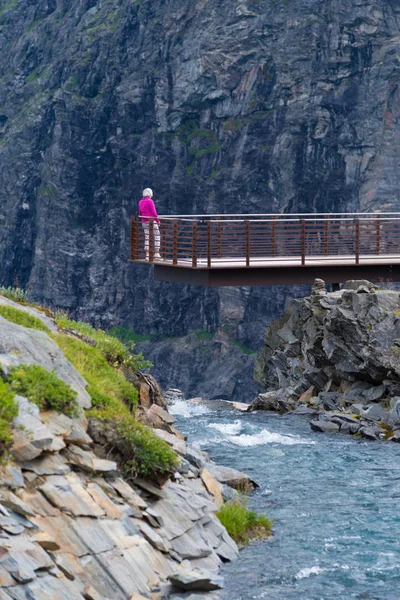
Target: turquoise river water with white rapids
x,y
335,501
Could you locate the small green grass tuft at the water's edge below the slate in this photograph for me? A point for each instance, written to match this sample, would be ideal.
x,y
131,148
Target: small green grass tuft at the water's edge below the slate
x,y
243,524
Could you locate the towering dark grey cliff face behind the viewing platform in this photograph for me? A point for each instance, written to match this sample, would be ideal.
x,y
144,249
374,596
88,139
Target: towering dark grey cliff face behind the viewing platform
x,y
249,106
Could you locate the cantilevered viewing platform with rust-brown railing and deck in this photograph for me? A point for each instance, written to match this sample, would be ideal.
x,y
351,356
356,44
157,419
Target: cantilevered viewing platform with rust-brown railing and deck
x,y
237,250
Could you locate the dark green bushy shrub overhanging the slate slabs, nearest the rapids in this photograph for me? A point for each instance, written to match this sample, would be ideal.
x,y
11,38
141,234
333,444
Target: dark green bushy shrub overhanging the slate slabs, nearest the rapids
x,y
141,451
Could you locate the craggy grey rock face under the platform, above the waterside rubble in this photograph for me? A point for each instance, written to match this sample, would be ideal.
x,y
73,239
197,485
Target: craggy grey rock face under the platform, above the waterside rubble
x,y
343,339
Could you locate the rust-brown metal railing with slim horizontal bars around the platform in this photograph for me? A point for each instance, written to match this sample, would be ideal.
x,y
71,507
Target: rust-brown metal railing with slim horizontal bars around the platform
x,y
201,241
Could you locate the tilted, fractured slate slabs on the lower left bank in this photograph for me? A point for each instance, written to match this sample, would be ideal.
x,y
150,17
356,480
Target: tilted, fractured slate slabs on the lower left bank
x,y
72,529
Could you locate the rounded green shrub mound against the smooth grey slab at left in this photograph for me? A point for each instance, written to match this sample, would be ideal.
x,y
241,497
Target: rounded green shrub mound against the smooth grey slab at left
x,y
44,389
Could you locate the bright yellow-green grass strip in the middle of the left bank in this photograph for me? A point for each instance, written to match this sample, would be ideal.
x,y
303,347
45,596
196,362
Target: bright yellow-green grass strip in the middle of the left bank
x,y
104,381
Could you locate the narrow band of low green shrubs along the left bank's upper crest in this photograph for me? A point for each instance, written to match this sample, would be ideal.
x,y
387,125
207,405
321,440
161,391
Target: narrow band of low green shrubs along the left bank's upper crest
x,y
114,350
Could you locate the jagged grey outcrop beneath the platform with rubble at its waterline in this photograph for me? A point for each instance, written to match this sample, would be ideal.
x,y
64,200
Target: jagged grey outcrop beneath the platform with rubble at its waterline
x,y
336,358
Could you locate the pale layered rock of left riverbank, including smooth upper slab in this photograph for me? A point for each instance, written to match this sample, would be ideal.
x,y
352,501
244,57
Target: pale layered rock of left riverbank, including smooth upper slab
x,y
71,526
